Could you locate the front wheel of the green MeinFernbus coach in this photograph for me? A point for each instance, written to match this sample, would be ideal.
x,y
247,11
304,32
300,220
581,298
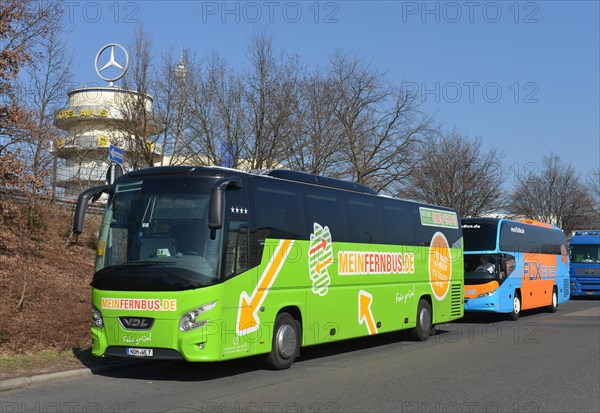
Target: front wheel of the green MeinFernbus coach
x,y
286,342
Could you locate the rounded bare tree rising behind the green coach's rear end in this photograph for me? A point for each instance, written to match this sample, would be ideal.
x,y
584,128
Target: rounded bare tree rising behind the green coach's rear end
x,y
455,171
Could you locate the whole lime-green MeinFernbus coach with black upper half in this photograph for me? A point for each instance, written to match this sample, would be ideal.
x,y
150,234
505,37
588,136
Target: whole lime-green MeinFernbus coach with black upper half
x,y
207,264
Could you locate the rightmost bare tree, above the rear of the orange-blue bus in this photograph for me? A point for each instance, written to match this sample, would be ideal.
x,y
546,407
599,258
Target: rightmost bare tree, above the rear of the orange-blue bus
x,y
556,195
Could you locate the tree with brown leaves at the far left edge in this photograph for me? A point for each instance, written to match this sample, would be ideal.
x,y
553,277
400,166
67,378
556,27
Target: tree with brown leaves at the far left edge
x,y
23,23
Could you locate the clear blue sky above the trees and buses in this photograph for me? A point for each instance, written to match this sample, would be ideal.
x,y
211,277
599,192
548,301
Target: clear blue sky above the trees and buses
x,y
522,76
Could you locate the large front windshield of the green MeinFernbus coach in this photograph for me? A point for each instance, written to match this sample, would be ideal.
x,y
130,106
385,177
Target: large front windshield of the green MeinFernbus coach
x,y
155,236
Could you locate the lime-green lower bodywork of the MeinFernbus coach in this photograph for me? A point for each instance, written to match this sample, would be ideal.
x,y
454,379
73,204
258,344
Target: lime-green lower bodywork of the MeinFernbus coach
x,y
332,306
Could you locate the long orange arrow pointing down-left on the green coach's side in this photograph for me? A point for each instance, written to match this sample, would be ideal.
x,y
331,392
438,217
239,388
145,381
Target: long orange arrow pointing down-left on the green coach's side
x,y
248,320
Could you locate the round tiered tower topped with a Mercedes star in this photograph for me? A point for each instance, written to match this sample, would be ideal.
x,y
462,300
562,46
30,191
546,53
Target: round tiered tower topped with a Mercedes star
x,y
96,118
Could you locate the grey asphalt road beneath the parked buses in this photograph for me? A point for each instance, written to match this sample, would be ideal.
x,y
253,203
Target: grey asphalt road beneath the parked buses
x,y
542,363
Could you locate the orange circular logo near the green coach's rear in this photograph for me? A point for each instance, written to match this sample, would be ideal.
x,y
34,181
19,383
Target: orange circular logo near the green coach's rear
x,y
440,266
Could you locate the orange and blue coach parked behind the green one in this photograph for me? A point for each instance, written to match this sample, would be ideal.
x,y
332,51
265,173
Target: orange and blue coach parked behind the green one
x,y
512,266
